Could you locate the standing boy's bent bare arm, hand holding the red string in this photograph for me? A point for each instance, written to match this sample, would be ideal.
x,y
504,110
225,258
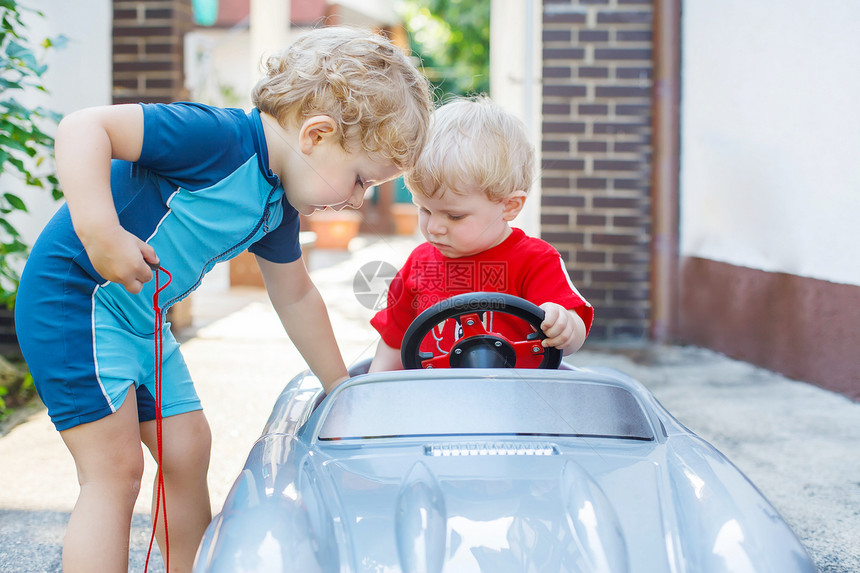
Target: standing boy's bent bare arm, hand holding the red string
x,y
86,141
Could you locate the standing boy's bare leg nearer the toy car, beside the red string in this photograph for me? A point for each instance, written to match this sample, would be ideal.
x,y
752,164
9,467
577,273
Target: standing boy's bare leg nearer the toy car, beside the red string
x,y
186,443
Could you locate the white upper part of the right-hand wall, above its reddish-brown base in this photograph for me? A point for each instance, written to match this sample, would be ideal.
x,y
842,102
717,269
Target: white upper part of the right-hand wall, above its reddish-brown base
x,y
770,135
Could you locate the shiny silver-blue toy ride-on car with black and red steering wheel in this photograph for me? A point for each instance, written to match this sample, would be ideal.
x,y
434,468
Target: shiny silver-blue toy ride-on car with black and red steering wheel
x,y
489,468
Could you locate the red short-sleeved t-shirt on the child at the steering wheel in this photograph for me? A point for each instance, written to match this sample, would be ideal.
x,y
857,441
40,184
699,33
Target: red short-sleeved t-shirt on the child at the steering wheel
x,y
520,265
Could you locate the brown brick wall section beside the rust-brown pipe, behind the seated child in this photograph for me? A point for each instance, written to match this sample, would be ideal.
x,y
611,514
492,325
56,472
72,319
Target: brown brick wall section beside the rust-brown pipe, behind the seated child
x,y
596,154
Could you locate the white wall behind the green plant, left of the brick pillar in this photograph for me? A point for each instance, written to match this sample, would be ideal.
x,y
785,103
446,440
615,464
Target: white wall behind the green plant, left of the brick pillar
x,y
78,76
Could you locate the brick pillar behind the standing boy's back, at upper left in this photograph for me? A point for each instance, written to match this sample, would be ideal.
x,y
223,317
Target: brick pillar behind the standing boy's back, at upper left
x,y
148,50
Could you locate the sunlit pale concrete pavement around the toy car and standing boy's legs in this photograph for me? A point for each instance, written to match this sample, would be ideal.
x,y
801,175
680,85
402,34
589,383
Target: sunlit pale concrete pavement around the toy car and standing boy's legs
x,y
796,442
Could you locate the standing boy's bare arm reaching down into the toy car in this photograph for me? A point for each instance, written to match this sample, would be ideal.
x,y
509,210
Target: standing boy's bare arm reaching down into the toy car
x,y
305,318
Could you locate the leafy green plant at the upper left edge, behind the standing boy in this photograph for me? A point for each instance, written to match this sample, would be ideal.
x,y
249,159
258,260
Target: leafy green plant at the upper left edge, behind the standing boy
x,y
26,149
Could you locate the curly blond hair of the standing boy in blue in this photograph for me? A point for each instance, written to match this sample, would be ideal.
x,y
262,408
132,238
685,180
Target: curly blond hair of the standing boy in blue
x,y
359,78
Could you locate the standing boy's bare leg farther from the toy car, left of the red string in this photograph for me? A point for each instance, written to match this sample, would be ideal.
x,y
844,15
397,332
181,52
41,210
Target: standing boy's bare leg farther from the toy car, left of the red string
x,y
109,461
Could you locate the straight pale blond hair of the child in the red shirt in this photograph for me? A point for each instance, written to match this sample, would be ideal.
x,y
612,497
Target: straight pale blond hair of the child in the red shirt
x,y
474,145
